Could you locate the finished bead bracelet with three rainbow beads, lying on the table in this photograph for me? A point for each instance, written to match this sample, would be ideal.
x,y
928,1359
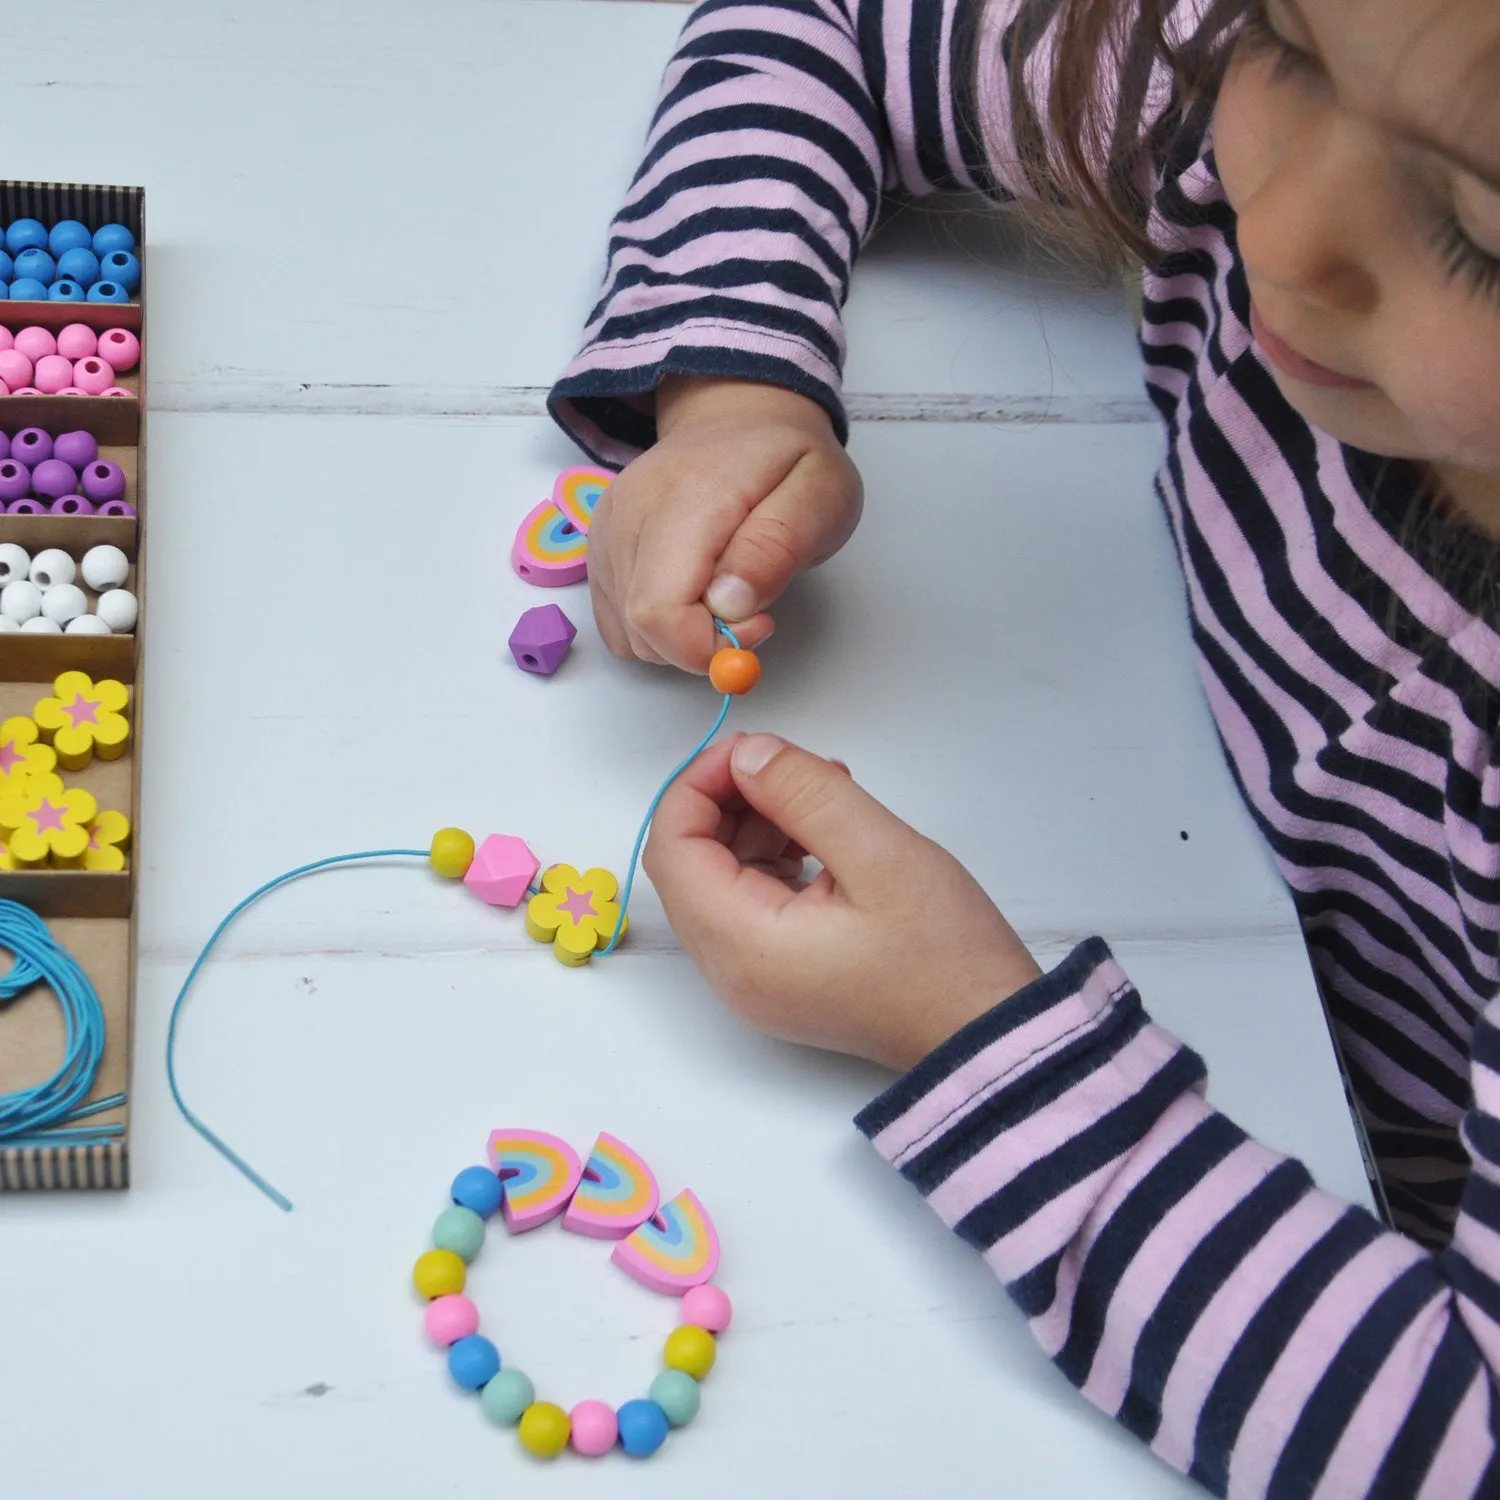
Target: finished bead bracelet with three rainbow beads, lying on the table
x,y
671,1249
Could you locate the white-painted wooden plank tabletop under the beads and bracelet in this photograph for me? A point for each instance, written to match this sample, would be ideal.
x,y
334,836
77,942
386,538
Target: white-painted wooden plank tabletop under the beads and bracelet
x,y
374,232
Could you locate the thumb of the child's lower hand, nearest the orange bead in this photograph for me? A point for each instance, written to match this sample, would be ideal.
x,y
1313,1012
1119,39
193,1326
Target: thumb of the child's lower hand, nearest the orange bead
x,y
820,806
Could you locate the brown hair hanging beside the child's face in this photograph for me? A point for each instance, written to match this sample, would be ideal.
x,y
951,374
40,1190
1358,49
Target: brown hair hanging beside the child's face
x,y
1084,148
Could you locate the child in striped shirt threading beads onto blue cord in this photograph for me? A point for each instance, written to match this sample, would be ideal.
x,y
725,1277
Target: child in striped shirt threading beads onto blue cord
x,y
1315,187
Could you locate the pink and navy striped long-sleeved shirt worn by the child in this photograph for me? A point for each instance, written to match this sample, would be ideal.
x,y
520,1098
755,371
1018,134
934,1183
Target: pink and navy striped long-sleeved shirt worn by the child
x,y
1259,1334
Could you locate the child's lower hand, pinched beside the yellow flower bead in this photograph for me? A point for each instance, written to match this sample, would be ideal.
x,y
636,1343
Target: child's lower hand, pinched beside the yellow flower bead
x,y
886,955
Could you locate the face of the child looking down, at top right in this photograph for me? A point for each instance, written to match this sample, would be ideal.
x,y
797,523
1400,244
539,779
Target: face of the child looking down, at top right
x,y
1360,146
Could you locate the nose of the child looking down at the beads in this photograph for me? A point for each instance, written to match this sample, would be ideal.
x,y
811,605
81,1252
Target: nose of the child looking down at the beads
x,y
1307,229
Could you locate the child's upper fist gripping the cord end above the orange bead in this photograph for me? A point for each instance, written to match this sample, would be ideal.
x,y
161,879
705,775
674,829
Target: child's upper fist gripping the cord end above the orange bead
x,y
745,488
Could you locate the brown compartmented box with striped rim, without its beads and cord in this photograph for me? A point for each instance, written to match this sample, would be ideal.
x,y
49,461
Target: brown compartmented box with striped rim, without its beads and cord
x,y
91,911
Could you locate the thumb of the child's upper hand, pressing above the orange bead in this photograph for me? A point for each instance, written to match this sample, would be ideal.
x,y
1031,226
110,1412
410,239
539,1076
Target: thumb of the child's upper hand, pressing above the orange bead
x,y
787,533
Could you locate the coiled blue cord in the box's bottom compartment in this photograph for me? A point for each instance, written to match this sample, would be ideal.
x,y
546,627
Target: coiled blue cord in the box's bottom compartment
x,y
46,1115
